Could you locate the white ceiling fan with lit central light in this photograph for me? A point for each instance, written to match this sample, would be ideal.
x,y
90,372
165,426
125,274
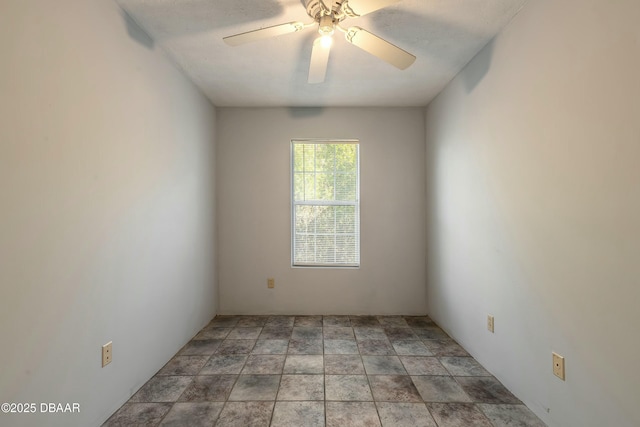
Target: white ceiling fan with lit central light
x,y
328,18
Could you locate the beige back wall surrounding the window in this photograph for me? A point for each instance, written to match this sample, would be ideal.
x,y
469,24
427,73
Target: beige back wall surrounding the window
x,y
254,213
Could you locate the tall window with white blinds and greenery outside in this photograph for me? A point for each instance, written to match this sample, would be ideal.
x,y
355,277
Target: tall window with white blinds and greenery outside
x,y
325,187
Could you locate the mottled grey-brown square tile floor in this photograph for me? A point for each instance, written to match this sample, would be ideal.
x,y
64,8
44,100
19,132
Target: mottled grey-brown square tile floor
x,y
307,371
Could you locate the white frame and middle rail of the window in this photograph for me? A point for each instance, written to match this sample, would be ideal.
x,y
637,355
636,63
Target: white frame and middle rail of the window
x,y
294,203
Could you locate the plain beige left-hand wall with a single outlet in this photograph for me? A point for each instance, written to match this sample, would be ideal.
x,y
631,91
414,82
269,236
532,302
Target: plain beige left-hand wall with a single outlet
x,y
107,208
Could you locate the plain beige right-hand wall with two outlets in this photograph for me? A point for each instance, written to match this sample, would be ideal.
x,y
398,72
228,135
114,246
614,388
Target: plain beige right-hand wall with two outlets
x,y
534,209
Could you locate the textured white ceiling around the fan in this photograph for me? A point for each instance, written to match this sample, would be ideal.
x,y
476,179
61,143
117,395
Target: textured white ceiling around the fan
x,y
443,34
